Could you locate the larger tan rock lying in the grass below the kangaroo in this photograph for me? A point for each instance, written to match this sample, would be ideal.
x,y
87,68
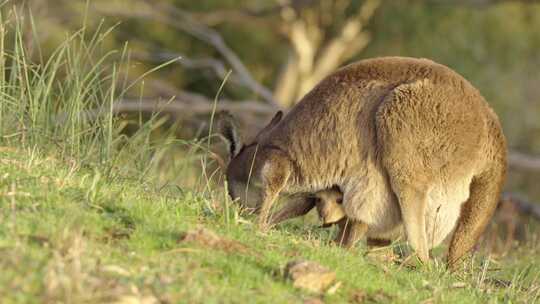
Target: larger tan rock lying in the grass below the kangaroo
x,y
310,275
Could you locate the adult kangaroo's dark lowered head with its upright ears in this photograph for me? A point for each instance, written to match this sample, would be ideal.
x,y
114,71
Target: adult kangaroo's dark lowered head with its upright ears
x,y
246,160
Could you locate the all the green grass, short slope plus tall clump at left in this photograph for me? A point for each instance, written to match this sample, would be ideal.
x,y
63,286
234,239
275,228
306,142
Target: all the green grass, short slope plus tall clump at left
x,y
89,214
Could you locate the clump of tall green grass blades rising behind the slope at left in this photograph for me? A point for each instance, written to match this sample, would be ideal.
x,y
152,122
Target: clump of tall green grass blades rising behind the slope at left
x,y
65,101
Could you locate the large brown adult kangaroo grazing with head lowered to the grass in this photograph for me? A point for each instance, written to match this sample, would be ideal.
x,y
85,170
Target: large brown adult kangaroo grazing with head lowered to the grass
x,y
412,145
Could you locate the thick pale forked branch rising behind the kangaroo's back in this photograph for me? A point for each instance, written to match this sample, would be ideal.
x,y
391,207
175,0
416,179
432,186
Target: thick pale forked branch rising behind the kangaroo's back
x,y
314,60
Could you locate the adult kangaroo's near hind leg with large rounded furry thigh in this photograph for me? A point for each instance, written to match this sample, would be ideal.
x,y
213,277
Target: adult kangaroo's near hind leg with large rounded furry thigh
x,y
416,138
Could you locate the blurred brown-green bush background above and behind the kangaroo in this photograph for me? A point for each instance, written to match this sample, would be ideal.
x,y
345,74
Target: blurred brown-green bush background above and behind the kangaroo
x,y
287,46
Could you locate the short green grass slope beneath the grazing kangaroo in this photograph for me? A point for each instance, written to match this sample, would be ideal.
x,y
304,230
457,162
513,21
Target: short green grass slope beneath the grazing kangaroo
x,y
72,234
